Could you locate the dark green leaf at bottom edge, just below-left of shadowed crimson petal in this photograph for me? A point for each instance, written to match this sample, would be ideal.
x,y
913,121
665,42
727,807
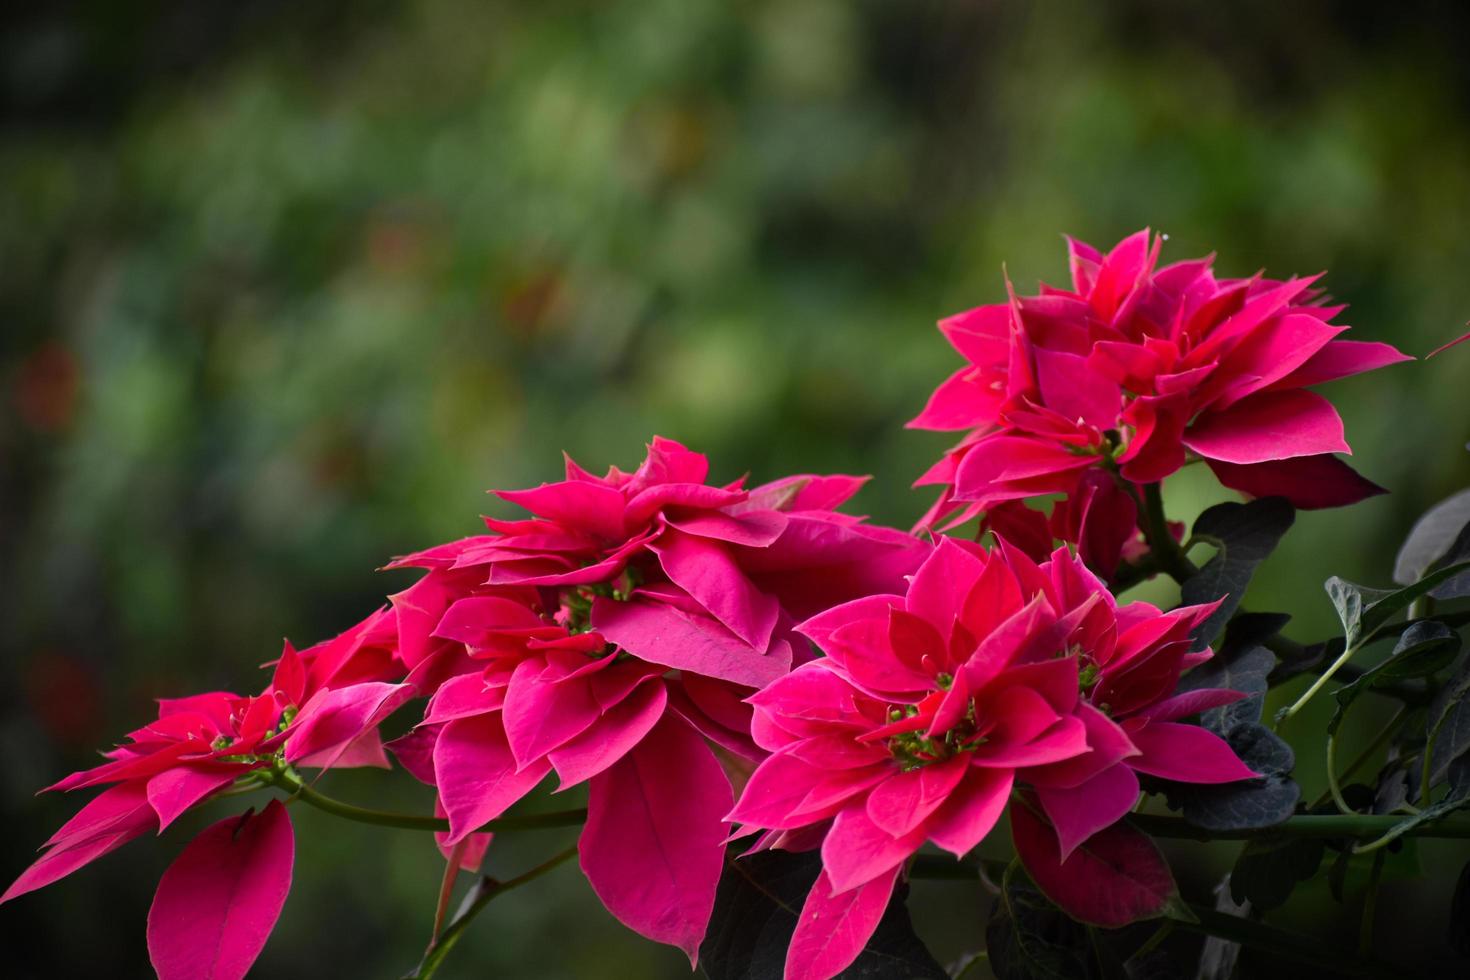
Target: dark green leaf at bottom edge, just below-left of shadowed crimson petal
x,y
1028,938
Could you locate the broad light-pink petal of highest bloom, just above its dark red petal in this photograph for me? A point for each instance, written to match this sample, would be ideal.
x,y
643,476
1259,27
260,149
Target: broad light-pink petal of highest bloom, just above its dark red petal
x,y
1272,425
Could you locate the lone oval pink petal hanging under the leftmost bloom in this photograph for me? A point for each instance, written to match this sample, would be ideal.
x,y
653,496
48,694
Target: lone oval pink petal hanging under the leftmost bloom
x,y
220,900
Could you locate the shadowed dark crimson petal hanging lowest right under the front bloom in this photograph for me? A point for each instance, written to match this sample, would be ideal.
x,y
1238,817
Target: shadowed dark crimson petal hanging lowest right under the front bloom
x,y
1116,878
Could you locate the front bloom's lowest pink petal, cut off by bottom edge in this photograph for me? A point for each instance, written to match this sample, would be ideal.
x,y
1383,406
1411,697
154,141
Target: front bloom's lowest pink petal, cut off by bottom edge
x,y
834,929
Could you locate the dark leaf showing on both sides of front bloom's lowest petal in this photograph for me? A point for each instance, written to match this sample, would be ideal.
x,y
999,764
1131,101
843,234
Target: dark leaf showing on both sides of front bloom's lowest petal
x,y
756,912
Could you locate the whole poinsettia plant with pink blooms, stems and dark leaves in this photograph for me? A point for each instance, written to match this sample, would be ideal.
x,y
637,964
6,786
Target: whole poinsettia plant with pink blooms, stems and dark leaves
x,y
784,716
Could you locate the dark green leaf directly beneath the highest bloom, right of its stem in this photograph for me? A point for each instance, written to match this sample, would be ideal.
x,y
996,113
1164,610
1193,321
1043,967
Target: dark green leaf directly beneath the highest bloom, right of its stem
x,y
1246,536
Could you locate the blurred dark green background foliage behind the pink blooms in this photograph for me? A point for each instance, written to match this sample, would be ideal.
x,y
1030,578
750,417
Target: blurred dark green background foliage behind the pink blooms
x,y
286,287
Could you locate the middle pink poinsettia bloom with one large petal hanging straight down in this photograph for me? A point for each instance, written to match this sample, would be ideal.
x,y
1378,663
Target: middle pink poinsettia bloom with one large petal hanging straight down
x,y
612,638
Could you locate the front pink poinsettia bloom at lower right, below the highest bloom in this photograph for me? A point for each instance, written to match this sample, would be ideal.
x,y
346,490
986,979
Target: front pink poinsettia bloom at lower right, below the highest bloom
x,y
931,707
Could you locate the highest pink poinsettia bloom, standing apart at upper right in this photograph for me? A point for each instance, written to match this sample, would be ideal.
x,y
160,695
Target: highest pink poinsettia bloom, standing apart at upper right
x,y
1143,370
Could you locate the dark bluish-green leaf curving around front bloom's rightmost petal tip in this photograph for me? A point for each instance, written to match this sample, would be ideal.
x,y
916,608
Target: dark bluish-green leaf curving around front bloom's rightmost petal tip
x,y
1247,804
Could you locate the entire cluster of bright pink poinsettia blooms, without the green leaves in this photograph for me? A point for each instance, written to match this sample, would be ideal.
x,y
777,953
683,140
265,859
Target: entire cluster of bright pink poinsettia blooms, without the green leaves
x,y
723,663
